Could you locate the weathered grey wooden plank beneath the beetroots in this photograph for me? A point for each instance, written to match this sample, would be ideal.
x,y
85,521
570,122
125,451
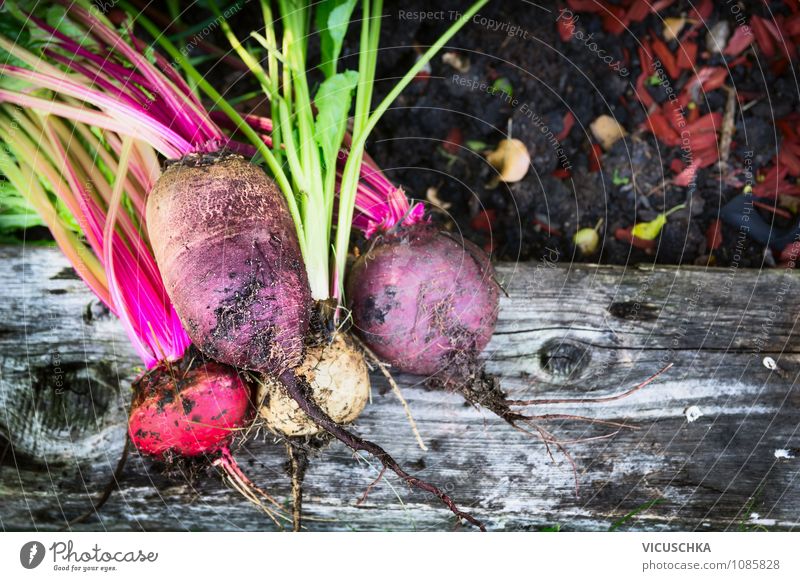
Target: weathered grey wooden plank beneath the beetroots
x,y
564,331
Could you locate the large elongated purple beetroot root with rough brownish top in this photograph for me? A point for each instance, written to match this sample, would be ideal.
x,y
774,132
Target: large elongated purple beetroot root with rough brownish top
x,y
227,248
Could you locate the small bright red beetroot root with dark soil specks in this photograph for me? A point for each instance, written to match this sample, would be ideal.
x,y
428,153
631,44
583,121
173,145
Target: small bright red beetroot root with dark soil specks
x,y
188,412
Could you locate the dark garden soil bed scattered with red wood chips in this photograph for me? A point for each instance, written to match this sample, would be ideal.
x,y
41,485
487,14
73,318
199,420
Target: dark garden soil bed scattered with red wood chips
x,y
426,143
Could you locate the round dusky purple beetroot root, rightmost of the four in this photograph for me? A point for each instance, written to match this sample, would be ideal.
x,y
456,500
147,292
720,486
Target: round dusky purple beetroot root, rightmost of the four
x,y
423,300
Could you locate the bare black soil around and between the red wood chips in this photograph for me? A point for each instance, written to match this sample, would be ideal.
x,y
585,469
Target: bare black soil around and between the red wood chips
x,y
422,143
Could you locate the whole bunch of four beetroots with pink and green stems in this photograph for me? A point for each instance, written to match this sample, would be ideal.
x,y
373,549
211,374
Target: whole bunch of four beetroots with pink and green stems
x,y
233,283
